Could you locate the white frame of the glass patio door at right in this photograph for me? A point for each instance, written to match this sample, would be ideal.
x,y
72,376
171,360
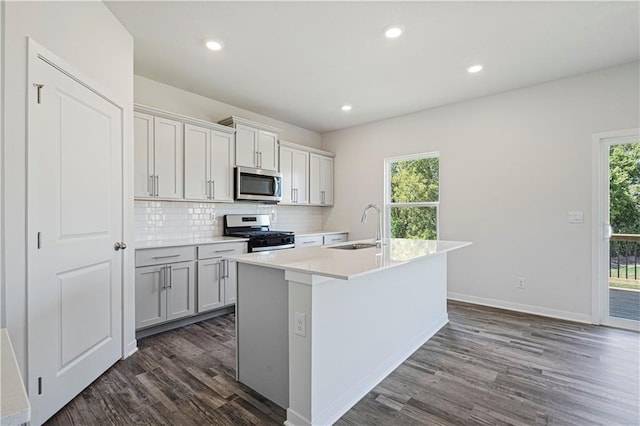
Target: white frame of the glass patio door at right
x,y
601,142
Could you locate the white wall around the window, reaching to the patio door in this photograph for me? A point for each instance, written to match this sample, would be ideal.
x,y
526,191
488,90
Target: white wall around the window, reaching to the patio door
x,y
512,166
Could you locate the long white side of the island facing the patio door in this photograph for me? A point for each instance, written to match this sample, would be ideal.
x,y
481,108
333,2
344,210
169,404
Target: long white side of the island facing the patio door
x,y
360,330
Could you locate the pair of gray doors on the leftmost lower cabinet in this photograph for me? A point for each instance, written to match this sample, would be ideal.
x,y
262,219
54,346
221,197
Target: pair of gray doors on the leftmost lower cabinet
x,y
164,293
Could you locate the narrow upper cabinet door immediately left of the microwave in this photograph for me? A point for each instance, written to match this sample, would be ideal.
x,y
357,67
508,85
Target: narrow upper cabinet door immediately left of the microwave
x,y
221,166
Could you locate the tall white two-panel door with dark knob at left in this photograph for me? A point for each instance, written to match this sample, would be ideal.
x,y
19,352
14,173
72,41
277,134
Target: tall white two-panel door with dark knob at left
x,y
74,218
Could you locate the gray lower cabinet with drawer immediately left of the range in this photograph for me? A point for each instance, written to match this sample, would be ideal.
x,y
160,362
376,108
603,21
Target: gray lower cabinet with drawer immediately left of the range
x,y
217,277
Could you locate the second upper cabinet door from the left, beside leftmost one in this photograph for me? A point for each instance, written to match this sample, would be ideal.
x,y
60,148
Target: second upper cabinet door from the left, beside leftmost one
x,y
168,146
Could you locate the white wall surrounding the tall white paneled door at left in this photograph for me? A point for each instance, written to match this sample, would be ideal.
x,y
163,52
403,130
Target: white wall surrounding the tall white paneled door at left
x,y
86,35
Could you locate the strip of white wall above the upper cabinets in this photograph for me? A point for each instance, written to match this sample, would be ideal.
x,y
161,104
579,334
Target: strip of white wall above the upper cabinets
x,y
168,98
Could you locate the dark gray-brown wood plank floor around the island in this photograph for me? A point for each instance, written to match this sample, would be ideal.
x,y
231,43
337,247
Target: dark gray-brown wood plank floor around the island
x,y
487,366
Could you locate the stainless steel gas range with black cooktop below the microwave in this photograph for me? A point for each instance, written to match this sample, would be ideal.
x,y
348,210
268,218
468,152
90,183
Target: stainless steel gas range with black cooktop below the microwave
x,y
256,227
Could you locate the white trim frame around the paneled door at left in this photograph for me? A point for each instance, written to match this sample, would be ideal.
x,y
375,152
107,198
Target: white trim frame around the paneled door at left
x,y
37,52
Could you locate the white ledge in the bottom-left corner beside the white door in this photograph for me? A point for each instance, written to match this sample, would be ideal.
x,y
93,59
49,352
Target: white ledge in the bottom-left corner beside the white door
x,y
14,403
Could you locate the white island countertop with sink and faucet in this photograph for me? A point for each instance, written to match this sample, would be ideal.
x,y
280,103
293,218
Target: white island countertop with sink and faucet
x,y
348,264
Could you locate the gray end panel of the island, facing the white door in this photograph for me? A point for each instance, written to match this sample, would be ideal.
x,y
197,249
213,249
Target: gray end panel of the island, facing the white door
x,y
262,331
